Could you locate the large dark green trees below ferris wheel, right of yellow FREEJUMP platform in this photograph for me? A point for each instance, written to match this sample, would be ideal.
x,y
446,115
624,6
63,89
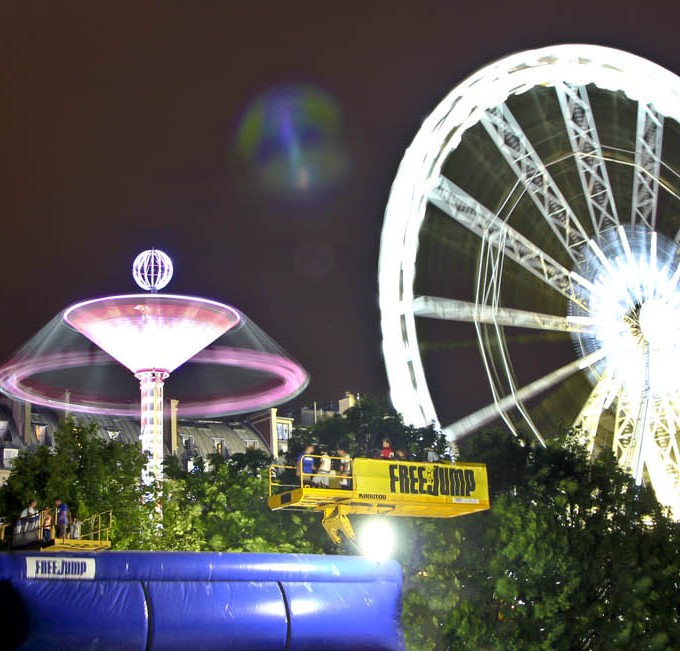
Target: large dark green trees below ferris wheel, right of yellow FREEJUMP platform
x,y
572,555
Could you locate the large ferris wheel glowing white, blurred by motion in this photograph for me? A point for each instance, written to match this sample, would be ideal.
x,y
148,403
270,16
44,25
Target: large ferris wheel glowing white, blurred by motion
x,y
537,215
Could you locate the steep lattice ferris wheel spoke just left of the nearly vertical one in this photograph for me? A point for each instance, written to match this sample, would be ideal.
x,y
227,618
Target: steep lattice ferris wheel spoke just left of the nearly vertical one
x,y
585,143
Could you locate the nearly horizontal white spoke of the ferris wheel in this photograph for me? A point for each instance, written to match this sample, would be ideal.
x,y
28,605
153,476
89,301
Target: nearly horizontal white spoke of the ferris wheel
x,y
450,309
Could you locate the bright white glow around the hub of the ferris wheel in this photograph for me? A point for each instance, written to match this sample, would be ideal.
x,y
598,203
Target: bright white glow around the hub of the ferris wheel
x,y
635,312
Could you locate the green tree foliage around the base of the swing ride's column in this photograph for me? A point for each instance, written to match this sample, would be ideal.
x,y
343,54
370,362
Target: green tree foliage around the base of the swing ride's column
x,y
219,506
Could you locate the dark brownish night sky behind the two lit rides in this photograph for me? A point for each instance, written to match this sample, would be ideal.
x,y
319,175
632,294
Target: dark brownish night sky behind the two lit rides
x,y
119,127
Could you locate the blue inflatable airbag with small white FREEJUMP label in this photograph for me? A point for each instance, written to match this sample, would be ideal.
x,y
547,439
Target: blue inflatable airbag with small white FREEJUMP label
x,y
163,601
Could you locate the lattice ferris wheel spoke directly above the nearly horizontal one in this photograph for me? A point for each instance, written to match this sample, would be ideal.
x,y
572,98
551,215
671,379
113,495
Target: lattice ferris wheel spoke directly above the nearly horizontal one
x,y
471,214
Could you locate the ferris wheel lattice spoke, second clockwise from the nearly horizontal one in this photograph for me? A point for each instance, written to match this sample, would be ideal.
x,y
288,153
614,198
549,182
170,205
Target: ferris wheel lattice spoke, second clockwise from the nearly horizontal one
x,y
520,155
